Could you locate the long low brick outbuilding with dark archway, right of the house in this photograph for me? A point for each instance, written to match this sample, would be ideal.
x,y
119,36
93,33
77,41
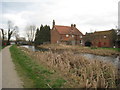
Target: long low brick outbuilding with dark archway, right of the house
x,y
100,38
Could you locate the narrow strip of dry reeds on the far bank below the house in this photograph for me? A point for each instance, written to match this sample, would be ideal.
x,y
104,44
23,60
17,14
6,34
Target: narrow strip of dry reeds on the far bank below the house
x,y
81,49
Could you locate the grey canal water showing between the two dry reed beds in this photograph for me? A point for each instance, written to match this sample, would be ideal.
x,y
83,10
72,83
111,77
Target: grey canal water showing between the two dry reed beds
x,y
114,60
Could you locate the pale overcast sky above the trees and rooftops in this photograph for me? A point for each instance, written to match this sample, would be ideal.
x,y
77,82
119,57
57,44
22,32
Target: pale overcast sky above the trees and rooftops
x,y
88,15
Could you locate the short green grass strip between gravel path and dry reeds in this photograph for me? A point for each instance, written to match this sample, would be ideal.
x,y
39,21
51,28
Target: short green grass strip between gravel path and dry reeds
x,y
32,74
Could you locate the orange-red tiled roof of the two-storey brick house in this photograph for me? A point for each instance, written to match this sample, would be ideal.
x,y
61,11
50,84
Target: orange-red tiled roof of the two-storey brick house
x,y
67,30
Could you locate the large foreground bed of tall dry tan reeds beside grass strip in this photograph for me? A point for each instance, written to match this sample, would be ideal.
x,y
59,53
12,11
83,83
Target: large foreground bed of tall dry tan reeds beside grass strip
x,y
84,73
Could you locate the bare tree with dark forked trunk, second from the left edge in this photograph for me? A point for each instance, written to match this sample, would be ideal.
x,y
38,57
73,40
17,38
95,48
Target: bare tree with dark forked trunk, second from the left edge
x,y
11,30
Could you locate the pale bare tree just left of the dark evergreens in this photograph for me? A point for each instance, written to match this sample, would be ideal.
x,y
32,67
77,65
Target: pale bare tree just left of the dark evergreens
x,y
30,32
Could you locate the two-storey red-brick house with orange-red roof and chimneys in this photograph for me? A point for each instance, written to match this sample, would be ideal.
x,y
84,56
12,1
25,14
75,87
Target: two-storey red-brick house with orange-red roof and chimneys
x,y
66,34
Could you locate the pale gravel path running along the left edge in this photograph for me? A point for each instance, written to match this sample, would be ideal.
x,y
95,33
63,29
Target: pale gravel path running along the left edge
x,y
10,78
